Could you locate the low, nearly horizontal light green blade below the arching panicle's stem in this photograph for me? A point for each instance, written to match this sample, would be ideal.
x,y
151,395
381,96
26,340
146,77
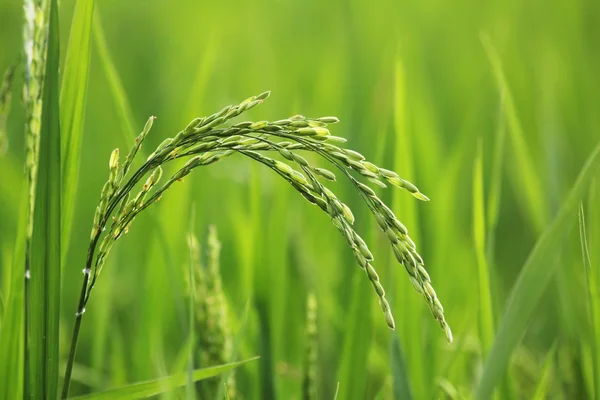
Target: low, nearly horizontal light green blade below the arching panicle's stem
x,y
155,387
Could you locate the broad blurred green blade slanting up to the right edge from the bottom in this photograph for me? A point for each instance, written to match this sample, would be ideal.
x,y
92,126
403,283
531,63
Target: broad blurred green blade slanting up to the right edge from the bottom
x,y
532,281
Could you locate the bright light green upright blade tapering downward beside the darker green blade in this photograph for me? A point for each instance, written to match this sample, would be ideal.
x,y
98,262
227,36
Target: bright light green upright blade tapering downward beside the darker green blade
x,y
72,108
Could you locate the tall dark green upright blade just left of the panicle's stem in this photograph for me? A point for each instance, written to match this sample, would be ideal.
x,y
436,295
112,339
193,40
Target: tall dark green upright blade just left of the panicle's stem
x,y
46,240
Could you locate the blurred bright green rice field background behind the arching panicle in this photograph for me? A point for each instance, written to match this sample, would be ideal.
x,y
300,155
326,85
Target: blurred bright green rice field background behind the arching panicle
x,y
421,87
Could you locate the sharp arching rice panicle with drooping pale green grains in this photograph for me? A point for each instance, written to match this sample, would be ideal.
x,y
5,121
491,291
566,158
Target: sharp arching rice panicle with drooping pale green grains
x,y
206,140
